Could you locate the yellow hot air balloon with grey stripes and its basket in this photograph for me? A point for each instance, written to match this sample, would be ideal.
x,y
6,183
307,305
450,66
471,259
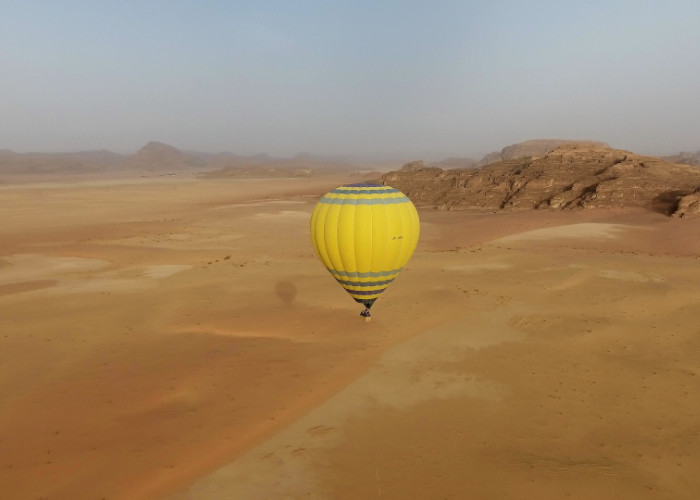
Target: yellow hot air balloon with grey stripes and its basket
x,y
364,234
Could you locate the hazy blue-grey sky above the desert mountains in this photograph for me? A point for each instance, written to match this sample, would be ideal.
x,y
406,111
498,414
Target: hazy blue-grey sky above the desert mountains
x,y
404,77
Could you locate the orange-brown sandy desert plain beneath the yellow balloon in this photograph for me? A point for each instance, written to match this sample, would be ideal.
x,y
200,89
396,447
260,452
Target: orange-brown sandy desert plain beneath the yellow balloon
x,y
177,338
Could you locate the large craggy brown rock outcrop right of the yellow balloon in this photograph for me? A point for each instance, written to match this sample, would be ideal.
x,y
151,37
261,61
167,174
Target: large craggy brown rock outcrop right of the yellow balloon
x,y
568,177
